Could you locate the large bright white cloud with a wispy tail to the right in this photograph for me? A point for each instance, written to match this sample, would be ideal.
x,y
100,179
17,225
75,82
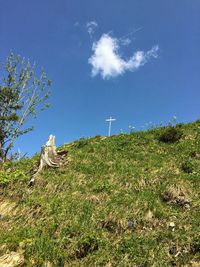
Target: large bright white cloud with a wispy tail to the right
x,y
107,61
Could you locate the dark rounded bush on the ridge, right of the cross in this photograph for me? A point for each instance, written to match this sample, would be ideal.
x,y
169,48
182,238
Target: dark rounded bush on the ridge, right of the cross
x,y
170,135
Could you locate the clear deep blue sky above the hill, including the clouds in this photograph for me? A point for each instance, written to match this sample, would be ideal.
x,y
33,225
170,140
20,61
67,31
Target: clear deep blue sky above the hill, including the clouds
x,y
138,61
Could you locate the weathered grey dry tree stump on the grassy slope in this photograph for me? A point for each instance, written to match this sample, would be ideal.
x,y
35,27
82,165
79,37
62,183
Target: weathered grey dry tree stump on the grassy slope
x,y
49,157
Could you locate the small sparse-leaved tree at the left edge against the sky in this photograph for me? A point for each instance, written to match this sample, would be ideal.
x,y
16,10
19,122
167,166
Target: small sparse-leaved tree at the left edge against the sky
x,y
21,96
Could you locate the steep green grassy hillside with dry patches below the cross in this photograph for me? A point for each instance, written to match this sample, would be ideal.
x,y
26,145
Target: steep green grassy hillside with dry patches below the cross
x,y
126,200
